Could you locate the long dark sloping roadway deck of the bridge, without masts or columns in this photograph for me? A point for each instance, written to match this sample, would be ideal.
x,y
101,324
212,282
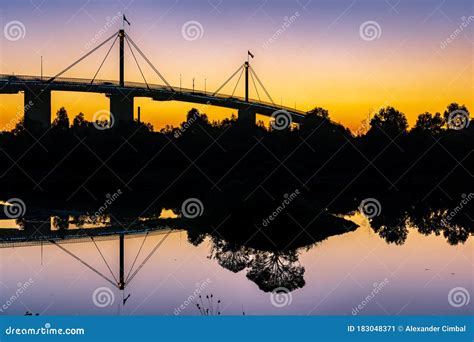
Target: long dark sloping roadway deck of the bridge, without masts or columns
x,y
110,83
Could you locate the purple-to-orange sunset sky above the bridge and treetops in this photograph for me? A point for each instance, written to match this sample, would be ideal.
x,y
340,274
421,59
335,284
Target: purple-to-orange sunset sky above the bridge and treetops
x,y
319,60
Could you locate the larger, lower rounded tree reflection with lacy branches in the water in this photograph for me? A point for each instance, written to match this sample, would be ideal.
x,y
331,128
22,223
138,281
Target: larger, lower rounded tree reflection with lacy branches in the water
x,y
270,270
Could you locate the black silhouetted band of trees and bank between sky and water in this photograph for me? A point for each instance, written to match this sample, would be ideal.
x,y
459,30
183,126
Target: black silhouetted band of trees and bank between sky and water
x,y
319,155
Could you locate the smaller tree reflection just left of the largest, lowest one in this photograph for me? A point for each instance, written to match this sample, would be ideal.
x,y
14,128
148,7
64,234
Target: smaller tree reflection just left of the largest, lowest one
x,y
230,256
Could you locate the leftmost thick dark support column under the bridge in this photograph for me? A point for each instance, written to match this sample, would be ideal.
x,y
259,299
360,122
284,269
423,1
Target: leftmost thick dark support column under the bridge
x,y
37,107
